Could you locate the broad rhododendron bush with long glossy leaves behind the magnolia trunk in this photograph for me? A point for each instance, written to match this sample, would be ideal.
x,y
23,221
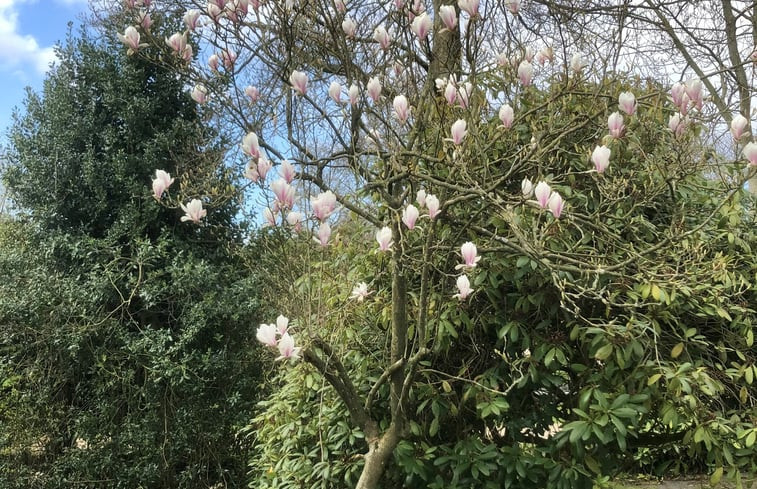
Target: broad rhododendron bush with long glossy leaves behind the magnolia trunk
x,y
618,338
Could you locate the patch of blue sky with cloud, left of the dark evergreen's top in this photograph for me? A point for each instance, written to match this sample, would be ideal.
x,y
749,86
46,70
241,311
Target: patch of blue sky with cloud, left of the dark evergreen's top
x,y
29,29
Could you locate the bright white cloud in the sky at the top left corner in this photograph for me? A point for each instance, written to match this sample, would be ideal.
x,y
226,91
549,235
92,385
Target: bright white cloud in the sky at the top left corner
x,y
19,51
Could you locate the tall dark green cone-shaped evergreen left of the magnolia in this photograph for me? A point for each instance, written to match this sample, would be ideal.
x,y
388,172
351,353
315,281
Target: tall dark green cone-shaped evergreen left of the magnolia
x,y
126,355
